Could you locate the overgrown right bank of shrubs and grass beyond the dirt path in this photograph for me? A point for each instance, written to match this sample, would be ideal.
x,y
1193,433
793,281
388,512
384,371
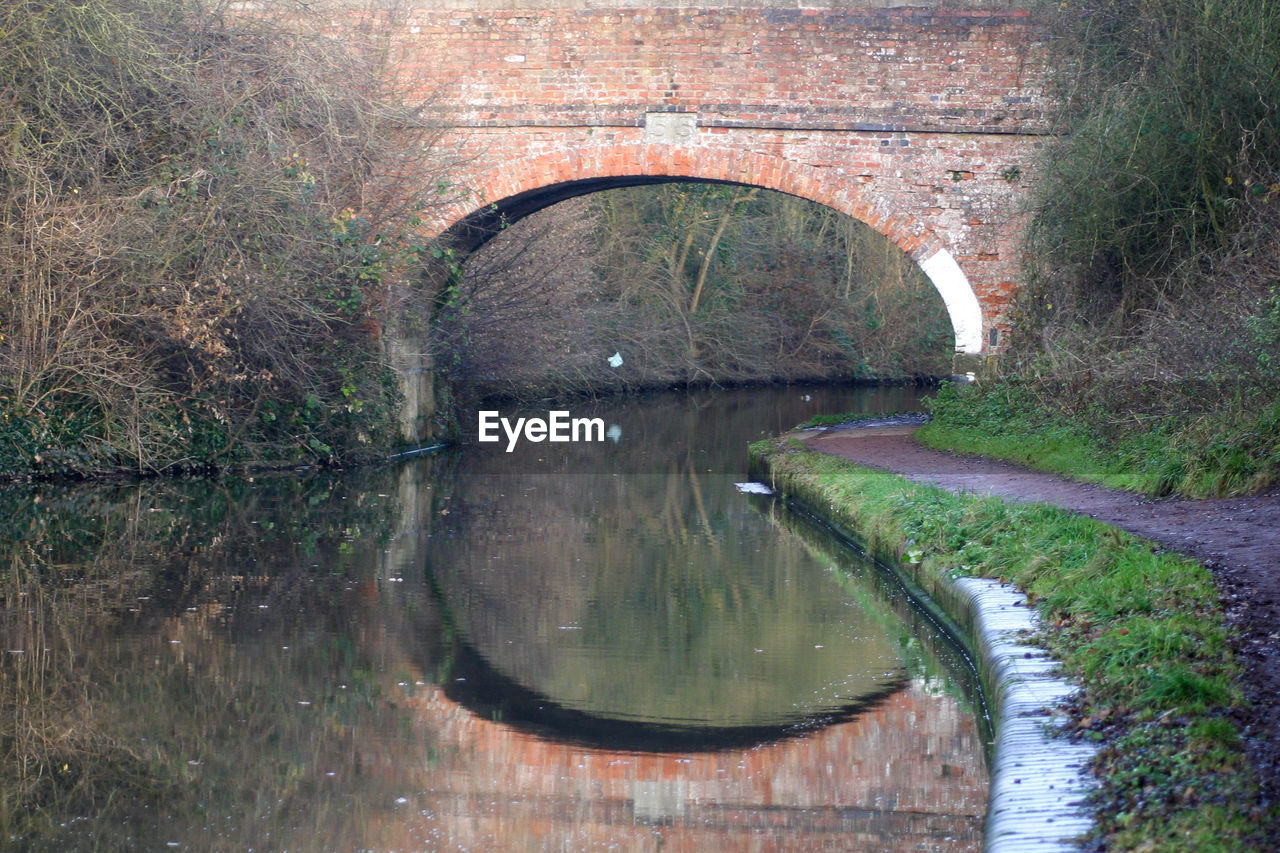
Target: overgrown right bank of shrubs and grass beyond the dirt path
x,y
1150,327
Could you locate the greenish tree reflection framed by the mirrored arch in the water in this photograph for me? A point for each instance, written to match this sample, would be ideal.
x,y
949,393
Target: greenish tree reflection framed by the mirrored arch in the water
x,y
652,597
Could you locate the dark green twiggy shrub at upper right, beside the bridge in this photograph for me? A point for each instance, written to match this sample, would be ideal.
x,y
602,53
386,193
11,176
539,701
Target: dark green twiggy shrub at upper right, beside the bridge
x,y
1171,145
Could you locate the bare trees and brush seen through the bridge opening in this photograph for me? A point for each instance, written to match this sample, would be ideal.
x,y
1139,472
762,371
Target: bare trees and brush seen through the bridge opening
x,y
691,285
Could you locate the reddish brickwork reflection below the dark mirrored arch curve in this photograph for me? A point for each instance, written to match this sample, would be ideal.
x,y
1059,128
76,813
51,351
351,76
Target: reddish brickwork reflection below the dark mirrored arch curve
x,y
908,776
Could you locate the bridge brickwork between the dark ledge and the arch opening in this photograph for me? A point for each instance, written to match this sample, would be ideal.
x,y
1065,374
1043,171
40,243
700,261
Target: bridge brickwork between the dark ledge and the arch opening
x,y
899,184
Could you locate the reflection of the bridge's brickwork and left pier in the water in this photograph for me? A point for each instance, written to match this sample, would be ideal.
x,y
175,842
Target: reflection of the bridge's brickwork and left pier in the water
x,y
904,774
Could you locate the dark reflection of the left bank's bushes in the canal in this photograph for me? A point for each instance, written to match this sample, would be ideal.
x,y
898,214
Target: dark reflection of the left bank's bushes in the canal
x,y
161,642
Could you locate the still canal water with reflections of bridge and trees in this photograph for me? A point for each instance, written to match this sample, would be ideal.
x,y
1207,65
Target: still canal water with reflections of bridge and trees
x,y
602,646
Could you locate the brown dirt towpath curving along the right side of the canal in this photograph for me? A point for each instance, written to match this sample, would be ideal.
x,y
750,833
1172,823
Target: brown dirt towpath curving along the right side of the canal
x,y
1237,539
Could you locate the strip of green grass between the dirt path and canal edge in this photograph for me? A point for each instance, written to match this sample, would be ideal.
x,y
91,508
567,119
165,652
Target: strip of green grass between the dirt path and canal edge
x,y
1141,631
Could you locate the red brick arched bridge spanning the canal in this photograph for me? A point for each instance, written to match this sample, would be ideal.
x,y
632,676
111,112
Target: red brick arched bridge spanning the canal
x,y
922,121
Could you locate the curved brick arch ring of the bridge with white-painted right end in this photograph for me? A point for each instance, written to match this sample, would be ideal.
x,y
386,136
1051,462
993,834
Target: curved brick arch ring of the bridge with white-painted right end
x,y
525,185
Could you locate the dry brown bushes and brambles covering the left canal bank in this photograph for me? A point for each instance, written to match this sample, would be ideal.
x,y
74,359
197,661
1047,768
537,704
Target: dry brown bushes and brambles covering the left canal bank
x,y
196,239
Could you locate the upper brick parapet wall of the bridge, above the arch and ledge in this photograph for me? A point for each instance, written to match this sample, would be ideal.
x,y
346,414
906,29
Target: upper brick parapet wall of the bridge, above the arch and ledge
x,y
874,70
